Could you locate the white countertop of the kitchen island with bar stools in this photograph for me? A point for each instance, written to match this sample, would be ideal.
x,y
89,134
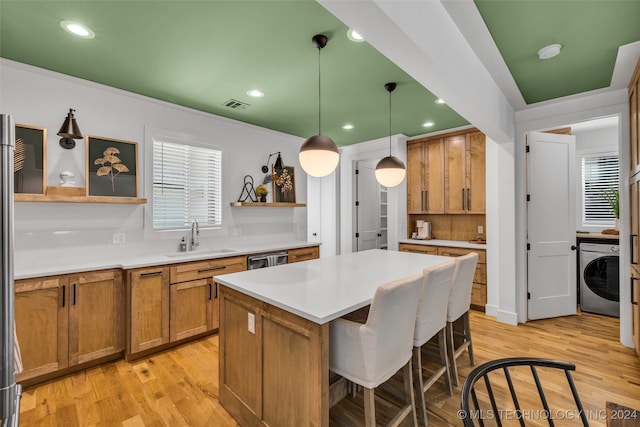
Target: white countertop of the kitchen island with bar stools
x,y
324,289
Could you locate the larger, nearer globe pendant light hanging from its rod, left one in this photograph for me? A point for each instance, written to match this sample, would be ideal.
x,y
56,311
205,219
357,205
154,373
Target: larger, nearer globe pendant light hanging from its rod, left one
x,y
319,155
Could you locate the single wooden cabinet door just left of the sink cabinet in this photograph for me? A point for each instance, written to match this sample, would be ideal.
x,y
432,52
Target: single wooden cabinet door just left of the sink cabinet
x,y
148,308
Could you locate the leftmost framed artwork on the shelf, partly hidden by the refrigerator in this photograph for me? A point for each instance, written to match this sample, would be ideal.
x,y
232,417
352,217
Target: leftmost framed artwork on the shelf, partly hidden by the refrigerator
x,y
30,160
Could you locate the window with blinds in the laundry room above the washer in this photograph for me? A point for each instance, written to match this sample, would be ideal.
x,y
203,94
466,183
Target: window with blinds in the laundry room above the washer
x,y
599,173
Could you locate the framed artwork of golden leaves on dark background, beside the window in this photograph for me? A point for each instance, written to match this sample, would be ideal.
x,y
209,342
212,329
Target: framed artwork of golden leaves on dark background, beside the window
x,y
112,167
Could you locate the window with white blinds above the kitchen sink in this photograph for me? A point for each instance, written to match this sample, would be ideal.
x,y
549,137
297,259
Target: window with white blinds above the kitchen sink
x,y
186,185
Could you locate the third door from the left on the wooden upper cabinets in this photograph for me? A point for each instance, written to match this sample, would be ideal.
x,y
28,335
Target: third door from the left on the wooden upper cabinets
x,y
455,179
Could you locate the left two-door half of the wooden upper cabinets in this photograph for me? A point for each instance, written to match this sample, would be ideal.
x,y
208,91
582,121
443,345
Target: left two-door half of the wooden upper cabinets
x,y
425,177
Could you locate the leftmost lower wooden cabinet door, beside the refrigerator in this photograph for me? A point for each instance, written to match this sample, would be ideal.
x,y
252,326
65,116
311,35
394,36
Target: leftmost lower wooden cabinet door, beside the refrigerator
x,y
41,325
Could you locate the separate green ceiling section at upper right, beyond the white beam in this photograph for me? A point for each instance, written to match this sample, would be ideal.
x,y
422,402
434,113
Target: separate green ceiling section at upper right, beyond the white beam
x,y
590,33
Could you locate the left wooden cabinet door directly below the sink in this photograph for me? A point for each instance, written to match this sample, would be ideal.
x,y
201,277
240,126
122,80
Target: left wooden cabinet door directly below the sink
x,y
191,308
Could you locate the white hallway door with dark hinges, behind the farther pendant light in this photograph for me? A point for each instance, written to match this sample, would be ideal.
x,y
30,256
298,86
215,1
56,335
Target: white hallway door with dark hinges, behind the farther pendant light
x,y
367,207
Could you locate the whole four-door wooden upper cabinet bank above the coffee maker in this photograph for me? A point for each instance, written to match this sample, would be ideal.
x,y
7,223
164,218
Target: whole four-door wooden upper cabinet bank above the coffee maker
x,y
446,174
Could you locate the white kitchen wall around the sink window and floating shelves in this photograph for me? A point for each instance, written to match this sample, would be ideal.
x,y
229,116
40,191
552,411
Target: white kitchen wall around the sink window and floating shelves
x,y
55,233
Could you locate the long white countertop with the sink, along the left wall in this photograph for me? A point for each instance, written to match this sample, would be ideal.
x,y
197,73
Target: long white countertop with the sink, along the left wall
x,y
147,260
